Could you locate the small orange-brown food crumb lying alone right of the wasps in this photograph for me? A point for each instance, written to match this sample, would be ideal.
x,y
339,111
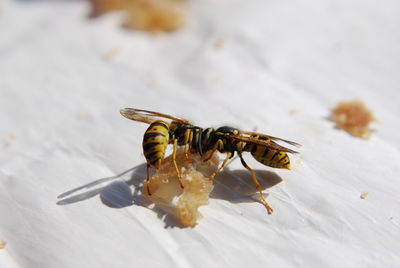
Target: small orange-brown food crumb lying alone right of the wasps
x,y
353,117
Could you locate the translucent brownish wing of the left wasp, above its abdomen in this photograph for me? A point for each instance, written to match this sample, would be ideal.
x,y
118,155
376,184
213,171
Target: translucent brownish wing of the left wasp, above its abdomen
x,y
148,117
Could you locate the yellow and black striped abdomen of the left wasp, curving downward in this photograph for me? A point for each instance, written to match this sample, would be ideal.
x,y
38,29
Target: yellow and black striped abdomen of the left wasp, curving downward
x,y
155,141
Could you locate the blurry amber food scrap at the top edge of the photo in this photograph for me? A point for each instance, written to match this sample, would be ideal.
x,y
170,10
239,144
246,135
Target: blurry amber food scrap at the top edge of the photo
x,y
154,15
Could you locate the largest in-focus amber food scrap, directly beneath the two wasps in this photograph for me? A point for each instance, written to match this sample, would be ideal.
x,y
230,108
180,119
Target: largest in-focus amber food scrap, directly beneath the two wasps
x,y
182,203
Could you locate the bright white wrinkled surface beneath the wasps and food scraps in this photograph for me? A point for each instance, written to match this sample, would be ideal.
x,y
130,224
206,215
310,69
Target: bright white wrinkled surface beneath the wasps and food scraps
x,y
60,129
